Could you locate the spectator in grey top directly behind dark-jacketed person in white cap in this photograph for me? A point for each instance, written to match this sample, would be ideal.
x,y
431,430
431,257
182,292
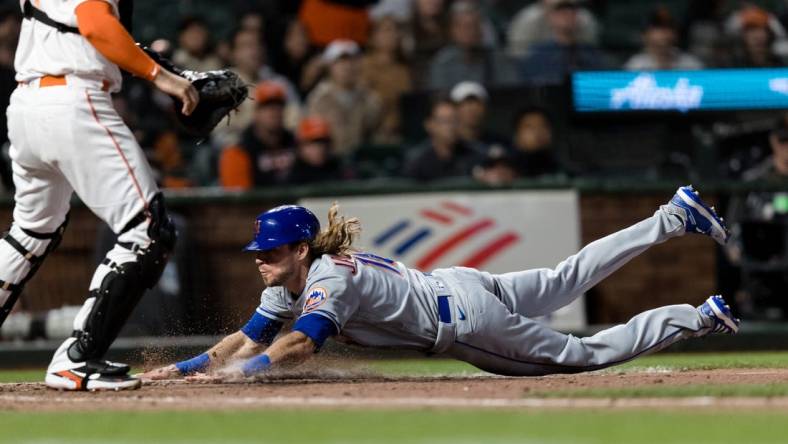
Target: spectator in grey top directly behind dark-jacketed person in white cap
x,y
466,58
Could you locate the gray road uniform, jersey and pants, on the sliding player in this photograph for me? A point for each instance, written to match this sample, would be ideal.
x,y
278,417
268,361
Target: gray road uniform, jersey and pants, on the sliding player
x,y
486,319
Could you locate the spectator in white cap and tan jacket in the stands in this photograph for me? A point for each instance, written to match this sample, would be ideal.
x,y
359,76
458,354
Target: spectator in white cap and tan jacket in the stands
x,y
352,111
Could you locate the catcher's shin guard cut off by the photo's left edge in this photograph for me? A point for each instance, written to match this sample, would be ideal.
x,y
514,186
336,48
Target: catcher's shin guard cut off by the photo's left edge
x,y
33,247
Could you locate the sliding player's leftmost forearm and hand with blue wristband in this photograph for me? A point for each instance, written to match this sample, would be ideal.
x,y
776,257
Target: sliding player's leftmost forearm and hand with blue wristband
x,y
233,347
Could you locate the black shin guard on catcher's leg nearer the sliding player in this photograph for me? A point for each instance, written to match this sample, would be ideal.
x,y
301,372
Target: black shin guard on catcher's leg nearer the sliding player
x,y
109,306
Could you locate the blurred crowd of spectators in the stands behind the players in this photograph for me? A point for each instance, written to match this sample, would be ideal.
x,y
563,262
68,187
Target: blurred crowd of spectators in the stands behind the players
x,y
330,81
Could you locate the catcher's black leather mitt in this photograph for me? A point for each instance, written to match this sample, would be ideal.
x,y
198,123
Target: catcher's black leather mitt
x,y
221,91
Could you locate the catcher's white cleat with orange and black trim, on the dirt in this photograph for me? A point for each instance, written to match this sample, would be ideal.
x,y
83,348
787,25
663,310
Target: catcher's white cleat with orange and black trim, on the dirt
x,y
92,376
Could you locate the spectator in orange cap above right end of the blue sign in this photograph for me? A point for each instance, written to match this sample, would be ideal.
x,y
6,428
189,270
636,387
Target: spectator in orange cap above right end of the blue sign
x,y
757,32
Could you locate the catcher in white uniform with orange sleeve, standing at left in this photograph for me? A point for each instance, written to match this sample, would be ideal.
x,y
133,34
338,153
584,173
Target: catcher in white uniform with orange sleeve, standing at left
x,y
66,137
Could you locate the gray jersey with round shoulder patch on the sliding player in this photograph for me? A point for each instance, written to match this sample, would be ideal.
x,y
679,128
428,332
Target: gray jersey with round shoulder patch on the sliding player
x,y
372,301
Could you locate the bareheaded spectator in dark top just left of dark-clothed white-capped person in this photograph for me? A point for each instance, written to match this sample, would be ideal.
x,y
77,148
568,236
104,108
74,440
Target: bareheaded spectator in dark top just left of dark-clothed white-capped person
x,y
443,154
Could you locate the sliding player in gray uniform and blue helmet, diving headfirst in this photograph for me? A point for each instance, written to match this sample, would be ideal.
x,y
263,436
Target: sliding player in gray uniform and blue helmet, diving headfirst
x,y
319,280
